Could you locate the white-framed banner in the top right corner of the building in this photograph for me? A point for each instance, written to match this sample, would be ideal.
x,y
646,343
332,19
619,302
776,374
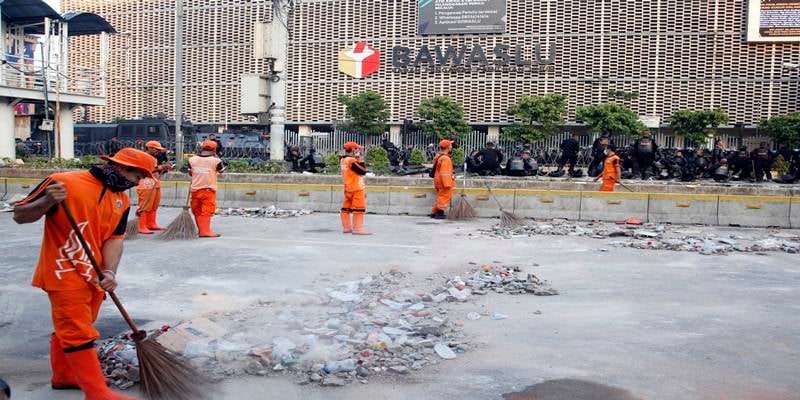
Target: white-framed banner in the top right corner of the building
x,y
773,21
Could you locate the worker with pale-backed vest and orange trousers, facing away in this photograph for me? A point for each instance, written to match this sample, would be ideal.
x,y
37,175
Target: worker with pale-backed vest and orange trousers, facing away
x,y
204,169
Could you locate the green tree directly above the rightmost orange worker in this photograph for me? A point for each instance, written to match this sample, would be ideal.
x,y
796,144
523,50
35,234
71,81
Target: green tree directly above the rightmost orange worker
x,y
611,117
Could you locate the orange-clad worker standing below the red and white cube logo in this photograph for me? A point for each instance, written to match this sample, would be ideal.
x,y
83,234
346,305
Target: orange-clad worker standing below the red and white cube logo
x,y
355,198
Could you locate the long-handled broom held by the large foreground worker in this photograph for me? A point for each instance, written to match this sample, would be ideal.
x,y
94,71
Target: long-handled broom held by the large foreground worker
x,y
163,375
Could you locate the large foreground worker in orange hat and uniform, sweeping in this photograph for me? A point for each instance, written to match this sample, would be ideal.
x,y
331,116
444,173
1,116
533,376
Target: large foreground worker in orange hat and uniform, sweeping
x,y
100,206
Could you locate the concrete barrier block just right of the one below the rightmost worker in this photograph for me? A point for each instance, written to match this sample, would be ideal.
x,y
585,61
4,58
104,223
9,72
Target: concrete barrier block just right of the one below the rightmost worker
x,y
683,208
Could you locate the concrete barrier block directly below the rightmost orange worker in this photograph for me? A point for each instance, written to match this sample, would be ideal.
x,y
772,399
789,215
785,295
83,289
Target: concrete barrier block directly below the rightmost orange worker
x,y
613,206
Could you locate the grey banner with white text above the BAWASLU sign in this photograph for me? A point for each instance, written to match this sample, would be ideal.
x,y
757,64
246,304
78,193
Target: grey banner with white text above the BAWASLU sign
x,y
443,17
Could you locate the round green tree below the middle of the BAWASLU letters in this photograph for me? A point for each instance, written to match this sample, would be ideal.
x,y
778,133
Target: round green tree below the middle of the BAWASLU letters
x,y
443,117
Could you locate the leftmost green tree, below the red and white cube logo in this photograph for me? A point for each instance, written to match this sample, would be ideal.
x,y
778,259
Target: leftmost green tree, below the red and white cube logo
x,y
366,113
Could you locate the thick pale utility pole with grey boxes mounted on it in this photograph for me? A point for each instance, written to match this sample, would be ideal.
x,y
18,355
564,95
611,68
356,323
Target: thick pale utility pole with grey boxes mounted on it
x,y
280,44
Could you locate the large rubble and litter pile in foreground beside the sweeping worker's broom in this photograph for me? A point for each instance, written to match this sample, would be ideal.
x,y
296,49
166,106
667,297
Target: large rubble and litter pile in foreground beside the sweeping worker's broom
x,y
351,332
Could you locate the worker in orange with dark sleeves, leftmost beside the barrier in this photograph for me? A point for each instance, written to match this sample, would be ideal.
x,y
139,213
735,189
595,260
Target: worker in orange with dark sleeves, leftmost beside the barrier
x,y
149,191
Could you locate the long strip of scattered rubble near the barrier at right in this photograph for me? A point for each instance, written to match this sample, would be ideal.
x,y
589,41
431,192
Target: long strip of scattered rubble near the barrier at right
x,y
657,237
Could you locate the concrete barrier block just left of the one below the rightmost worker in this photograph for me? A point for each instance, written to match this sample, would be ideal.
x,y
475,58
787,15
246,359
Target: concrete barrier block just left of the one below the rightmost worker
x,y
547,204
